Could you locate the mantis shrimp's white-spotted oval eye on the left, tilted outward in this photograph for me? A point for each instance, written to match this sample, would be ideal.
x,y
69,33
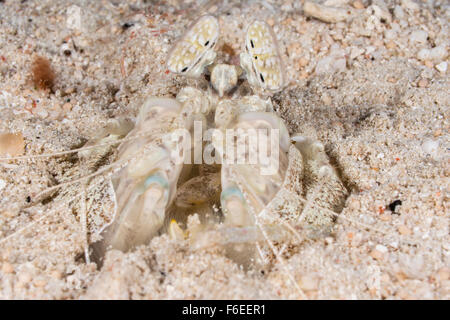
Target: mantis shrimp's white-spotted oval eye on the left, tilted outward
x,y
190,50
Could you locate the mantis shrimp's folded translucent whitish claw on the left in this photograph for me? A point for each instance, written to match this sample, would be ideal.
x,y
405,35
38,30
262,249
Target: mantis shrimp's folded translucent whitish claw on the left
x,y
146,186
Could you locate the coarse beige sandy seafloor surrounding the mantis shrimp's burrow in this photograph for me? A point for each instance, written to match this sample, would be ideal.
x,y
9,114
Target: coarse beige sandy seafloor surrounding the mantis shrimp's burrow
x,y
374,89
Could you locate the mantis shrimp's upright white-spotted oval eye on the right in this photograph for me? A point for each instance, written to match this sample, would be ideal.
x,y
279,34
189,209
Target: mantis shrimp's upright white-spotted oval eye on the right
x,y
267,64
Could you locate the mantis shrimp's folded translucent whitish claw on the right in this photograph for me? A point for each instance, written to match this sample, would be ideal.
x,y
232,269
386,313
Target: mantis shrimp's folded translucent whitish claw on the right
x,y
248,187
